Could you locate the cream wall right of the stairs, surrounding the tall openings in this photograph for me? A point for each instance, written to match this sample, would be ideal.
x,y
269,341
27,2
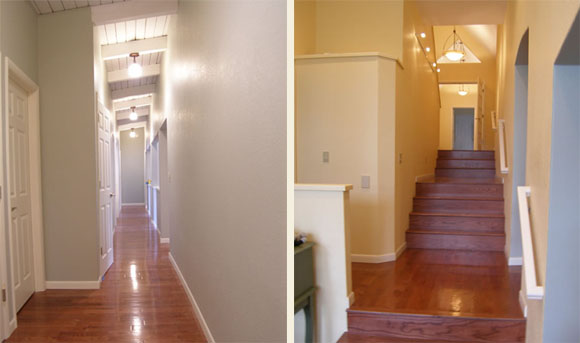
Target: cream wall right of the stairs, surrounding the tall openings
x,y
548,22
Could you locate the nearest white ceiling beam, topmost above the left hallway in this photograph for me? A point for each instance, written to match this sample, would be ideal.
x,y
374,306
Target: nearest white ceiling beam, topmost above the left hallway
x,y
132,10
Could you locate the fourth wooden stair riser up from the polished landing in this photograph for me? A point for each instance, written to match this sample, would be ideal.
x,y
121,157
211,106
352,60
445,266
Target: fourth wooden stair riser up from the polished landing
x,y
475,190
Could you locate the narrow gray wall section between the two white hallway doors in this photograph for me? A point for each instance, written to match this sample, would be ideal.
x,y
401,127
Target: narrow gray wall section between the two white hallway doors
x,y
68,145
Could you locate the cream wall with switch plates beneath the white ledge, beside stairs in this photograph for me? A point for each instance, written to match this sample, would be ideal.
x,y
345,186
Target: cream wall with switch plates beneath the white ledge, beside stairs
x,y
344,106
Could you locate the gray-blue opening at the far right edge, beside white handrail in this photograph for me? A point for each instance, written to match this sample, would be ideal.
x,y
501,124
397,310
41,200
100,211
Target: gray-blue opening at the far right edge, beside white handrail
x,y
561,301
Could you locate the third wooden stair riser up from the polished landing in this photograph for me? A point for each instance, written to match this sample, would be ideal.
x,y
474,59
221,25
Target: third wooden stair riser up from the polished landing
x,y
458,206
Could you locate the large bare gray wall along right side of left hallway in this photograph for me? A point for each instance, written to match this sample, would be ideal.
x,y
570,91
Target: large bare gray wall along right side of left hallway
x,y
226,115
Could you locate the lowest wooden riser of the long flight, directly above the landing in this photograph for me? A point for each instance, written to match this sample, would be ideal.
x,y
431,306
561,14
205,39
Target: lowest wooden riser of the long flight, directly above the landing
x,y
455,242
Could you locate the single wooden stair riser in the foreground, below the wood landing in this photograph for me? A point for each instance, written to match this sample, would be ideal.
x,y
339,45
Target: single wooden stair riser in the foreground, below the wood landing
x,y
454,329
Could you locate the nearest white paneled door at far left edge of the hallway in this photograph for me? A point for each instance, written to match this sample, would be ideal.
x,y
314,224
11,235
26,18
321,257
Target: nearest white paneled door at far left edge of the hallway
x,y
20,214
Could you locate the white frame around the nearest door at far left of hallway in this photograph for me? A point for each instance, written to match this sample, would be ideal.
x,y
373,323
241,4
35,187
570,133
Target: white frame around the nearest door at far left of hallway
x,y
12,71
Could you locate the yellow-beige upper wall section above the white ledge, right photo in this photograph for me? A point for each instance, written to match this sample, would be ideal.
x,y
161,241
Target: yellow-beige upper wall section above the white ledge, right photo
x,y
330,26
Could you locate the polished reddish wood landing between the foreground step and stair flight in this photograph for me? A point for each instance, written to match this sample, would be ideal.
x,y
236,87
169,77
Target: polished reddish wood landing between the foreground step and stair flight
x,y
440,282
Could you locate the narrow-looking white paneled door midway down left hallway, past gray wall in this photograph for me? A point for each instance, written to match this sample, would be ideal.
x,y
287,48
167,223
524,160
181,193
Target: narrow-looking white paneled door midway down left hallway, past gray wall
x,y
105,188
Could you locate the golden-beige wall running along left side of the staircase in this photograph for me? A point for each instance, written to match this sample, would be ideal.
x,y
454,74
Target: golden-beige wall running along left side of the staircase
x,y
417,120
